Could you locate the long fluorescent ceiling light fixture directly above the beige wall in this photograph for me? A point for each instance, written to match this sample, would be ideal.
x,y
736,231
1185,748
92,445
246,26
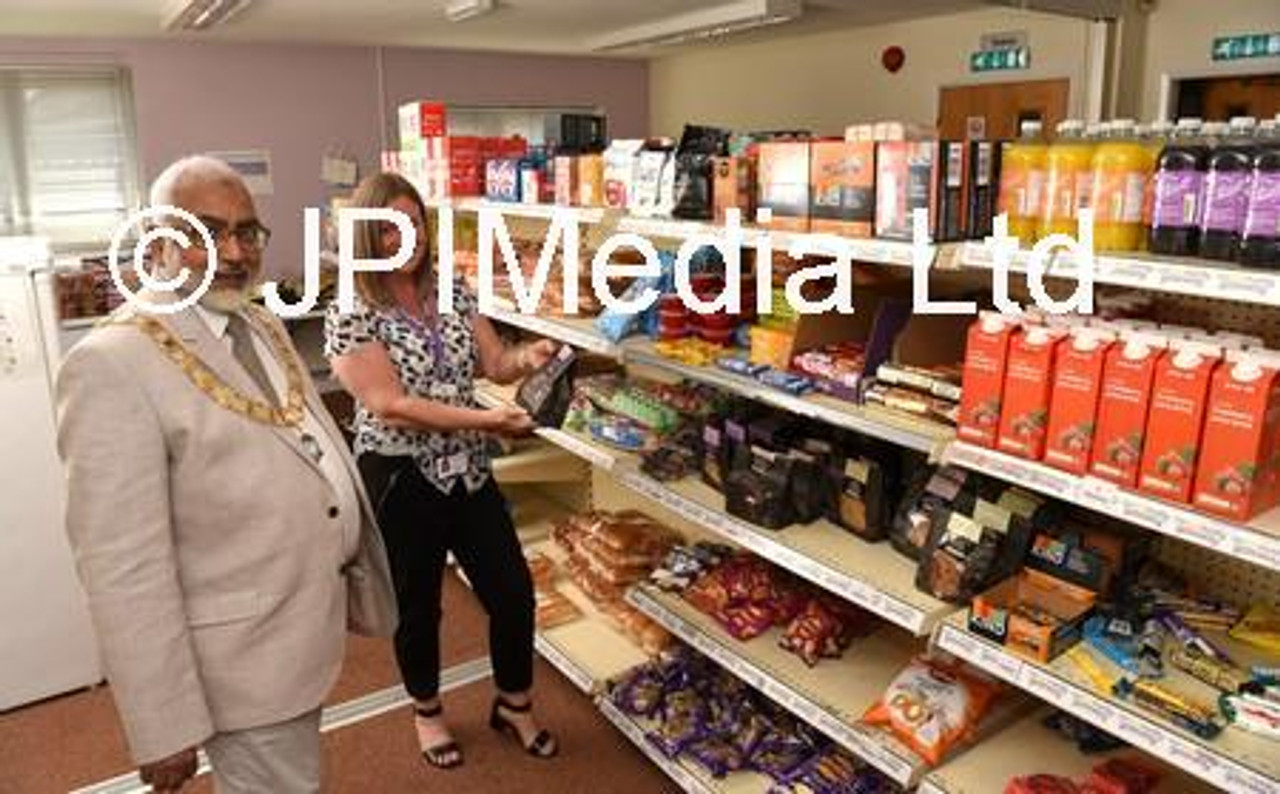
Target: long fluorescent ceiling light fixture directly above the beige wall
x,y
702,25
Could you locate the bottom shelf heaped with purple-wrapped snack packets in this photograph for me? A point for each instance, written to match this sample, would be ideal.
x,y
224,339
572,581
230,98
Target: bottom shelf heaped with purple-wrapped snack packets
x,y
710,732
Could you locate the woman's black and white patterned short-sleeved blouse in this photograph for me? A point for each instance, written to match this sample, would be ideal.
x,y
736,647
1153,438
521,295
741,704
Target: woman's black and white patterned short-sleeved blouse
x,y
437,364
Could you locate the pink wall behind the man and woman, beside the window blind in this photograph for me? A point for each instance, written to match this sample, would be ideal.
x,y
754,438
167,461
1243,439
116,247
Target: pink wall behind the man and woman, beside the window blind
x,y
300,102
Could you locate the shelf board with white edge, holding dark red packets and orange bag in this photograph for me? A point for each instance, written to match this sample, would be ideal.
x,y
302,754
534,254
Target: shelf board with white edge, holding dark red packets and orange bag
x,y
831,696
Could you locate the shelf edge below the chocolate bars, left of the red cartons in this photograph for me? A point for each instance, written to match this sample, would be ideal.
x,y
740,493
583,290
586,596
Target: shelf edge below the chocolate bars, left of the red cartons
x,y
871,421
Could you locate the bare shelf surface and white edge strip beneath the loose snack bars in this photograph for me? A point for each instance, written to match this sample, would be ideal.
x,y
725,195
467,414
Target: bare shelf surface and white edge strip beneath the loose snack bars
x,y
1235,761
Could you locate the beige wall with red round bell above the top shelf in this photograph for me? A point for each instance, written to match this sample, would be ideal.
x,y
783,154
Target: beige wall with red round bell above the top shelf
x,y
825,81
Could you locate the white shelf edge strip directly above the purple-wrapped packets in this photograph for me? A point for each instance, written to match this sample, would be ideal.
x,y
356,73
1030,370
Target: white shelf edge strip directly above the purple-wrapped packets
x,y
862,743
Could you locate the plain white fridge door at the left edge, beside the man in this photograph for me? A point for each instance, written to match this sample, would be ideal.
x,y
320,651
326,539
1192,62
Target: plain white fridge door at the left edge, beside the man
x,y
47,640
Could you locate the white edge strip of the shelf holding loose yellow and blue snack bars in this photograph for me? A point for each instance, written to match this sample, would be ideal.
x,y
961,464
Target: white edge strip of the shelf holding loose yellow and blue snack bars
x,y
1153,738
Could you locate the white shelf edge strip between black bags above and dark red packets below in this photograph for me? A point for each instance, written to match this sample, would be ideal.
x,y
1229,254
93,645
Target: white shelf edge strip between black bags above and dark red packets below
x,y
751,539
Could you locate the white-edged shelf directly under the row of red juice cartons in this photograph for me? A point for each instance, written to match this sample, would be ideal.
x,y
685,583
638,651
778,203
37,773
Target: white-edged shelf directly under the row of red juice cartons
x,y
1258,542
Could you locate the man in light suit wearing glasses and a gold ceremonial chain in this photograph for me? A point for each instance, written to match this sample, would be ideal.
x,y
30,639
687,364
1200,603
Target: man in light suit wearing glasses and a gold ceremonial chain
x,y
218,522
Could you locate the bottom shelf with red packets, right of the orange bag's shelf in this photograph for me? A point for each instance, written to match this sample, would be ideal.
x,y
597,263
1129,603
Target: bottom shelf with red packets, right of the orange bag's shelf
x,y
1028,750
